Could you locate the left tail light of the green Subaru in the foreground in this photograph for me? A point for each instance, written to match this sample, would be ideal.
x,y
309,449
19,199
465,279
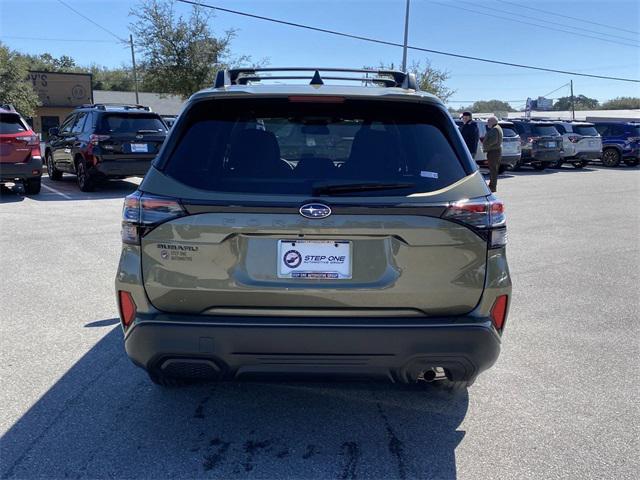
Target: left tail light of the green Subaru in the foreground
x,y
142,212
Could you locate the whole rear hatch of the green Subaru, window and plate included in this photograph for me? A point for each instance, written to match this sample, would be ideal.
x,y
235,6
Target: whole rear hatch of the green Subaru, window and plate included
x,y
257,238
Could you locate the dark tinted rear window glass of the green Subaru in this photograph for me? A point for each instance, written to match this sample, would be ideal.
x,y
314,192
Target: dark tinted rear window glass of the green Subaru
x,y
282,147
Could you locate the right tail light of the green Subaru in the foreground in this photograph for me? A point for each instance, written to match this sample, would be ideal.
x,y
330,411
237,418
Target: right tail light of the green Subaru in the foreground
x,y
485,216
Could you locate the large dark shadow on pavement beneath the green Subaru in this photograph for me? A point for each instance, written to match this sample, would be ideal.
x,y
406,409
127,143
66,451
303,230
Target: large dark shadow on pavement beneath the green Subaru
x,y
104,418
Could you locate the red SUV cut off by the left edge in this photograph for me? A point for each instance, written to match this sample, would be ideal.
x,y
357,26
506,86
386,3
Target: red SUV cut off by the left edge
x,y
20,160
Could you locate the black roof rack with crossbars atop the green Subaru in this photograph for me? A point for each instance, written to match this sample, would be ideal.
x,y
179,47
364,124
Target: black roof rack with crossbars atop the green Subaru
x,y
387,78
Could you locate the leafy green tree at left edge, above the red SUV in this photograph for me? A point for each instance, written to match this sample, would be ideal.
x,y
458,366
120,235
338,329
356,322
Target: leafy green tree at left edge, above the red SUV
x,y
13,87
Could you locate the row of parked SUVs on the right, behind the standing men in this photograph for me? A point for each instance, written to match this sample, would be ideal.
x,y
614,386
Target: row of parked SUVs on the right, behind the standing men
x,y
545,144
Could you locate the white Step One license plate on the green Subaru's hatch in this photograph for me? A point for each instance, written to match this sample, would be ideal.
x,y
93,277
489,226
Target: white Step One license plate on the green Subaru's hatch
x,y
318,259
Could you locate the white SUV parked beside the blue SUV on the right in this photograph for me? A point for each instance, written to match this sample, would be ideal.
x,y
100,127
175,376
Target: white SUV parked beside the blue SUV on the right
x,y
581,142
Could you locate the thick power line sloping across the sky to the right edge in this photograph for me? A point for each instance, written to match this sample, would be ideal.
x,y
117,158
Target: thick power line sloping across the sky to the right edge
x,y
394,44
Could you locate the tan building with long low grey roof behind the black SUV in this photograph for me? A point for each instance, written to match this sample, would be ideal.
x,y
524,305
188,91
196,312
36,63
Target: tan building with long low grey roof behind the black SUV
x,y
60,93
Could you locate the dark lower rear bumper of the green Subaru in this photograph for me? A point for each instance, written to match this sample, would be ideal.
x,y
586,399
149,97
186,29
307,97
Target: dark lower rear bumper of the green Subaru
x,y
398,349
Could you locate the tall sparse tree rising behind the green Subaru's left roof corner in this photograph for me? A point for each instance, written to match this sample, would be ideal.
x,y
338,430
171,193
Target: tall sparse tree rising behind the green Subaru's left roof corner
x,y
179,55
